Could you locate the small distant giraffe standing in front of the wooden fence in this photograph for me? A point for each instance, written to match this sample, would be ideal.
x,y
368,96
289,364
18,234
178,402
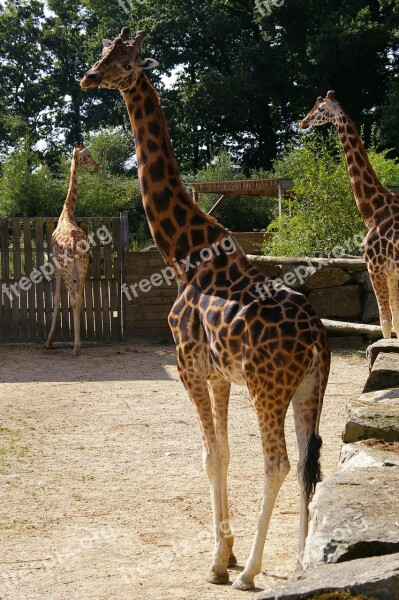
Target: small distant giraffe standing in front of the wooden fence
x,y
70,248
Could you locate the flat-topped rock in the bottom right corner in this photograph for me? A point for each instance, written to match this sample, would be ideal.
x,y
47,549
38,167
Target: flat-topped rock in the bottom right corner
x,y
376,578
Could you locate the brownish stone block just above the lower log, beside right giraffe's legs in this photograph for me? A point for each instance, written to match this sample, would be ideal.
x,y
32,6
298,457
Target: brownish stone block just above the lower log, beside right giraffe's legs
x,y
341,302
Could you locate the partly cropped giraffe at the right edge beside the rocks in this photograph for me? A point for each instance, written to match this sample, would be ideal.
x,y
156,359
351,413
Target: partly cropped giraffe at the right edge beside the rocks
x,y
377,205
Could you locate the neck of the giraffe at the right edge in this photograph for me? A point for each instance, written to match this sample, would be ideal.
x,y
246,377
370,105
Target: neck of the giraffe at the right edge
x,y
365,183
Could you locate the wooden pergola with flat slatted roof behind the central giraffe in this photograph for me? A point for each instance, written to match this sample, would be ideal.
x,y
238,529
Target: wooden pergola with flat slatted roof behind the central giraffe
x,y
272,188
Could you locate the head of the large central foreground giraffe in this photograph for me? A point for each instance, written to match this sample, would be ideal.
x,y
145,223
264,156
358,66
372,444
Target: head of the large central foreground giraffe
x,y
120,65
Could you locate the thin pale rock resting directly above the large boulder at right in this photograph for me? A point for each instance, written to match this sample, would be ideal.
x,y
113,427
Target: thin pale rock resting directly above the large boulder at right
x,y
372,453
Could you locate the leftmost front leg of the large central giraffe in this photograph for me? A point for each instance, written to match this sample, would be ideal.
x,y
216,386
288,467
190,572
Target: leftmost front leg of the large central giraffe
x,y
195,383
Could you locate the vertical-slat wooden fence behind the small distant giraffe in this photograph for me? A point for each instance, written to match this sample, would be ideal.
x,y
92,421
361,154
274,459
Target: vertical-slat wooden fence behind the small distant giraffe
x,y
27,284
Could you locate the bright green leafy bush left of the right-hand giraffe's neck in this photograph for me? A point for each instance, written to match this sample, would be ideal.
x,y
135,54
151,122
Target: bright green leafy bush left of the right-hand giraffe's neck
x,y
324,213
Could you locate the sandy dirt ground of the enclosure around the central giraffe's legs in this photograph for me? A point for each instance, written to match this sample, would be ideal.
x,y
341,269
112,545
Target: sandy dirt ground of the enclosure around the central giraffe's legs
x,y
102,492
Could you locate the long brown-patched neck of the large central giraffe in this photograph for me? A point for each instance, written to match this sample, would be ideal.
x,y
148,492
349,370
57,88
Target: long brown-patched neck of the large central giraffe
x,y
177,224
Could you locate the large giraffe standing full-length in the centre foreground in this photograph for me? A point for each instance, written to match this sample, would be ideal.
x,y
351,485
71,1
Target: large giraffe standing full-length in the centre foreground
x,y
225,329
